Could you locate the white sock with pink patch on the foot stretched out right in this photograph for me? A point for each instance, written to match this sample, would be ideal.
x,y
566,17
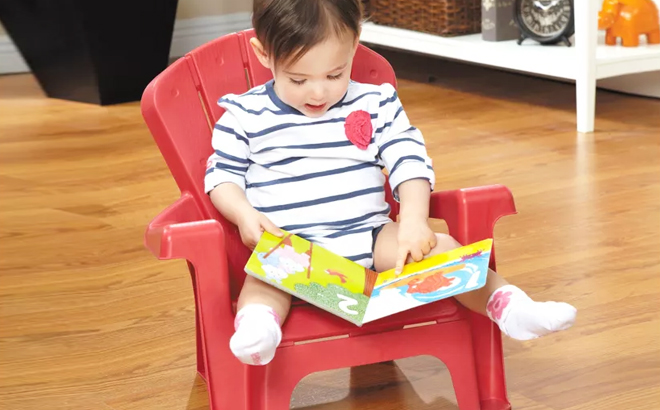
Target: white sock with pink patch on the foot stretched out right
x,y
522,318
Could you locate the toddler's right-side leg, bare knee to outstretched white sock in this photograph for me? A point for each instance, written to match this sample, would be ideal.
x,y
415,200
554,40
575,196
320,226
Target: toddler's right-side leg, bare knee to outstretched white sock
x,y
515,313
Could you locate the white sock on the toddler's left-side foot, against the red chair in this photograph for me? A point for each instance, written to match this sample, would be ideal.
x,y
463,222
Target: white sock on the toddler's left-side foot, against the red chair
x,y
257,334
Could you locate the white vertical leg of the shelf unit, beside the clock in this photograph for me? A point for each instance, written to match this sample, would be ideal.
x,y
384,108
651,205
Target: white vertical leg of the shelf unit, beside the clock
x,y
586,31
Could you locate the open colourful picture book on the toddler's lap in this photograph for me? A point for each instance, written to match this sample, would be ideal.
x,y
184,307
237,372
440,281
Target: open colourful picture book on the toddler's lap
x,y
359,295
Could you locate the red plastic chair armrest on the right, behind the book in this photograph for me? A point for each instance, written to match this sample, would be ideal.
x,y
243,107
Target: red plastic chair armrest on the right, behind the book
x,y
471,213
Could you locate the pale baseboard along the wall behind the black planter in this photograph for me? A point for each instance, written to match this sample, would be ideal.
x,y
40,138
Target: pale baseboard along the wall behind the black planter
x,y
188,34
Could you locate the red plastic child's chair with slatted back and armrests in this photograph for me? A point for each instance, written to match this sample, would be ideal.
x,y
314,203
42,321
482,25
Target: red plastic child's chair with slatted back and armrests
x,y
179,107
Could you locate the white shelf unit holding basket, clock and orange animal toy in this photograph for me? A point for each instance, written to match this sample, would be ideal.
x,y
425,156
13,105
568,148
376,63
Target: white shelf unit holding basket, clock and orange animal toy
x,y
588,60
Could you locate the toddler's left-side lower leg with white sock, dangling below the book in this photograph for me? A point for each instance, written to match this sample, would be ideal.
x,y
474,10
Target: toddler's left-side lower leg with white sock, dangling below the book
x,y
262,309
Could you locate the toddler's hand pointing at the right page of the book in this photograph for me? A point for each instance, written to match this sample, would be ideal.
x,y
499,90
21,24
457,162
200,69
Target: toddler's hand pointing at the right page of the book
x,y
415,238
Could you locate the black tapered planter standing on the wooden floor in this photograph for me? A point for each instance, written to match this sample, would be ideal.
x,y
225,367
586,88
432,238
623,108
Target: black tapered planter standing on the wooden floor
x,y
95,51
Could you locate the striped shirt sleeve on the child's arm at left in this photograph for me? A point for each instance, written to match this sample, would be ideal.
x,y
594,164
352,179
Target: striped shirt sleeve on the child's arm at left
x,y
229,161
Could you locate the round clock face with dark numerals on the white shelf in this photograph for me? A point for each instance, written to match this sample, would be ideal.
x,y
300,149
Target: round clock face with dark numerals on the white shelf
x,y
545,18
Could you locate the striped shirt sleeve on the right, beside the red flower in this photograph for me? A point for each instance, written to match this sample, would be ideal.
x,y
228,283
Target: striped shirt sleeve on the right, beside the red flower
x,y
401,146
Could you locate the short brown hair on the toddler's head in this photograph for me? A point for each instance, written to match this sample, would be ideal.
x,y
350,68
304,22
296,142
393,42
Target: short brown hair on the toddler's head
x,y
289,28
